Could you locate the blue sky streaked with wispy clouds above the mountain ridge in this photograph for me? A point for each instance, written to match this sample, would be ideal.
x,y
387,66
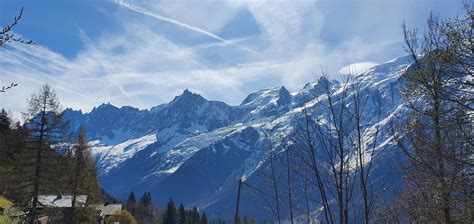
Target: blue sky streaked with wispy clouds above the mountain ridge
x,y
142,53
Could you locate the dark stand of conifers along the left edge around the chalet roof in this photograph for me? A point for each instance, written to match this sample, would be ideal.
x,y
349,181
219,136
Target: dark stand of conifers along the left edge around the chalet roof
x,y
40,157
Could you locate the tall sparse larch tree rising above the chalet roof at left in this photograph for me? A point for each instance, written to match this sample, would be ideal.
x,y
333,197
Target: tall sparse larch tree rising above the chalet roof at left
x,y
38,165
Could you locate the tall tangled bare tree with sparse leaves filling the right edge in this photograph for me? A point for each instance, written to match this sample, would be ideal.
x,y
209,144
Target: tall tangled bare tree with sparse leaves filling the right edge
x,y
439,144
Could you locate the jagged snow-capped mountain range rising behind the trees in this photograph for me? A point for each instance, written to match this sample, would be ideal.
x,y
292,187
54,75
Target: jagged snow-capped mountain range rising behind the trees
x,y
195,150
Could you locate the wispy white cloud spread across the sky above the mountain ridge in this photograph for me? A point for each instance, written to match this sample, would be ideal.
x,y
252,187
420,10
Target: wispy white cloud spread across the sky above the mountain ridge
x,y
143,67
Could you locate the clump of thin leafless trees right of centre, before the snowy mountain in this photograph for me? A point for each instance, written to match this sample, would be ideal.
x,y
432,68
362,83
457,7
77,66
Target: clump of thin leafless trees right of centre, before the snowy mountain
x,y
339,136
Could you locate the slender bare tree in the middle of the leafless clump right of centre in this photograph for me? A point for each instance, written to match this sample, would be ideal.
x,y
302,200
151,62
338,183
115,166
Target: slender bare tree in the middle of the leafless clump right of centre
x,y
333,143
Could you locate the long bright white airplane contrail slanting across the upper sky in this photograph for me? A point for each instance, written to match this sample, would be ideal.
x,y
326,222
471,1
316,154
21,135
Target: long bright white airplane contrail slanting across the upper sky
x,y
181,24
